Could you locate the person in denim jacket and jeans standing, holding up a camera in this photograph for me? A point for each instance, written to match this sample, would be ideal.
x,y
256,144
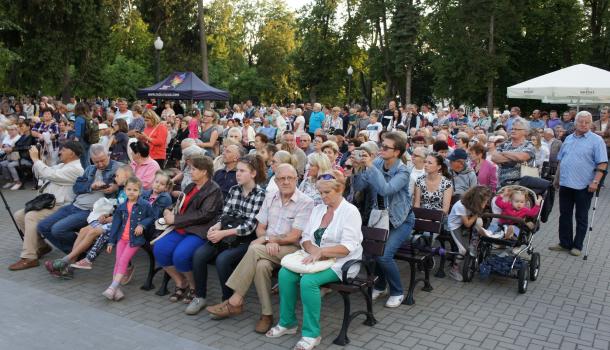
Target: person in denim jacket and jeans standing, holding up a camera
x,y
388,178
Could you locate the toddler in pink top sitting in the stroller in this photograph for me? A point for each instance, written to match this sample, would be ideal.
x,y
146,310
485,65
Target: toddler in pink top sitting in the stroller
x,y
512,203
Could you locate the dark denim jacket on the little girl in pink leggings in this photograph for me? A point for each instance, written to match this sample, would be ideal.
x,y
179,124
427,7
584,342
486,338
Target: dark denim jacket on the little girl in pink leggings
x,y
141,214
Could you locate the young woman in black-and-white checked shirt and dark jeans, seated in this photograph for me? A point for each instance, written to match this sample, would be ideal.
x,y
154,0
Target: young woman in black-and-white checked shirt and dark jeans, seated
x,y
229,239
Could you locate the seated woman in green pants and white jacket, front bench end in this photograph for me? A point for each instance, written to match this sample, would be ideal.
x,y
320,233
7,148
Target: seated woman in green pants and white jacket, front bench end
x,y
333,231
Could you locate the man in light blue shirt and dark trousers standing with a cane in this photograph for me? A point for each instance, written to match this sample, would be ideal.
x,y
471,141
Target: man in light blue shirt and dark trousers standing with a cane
x,y
583,162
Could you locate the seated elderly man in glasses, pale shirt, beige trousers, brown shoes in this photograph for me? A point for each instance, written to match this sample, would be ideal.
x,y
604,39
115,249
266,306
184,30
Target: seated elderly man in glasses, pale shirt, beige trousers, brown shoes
x,y
281,221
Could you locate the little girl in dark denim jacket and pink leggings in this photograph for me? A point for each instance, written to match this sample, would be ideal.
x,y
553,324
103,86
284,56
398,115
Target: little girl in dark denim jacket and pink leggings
x,y
129,222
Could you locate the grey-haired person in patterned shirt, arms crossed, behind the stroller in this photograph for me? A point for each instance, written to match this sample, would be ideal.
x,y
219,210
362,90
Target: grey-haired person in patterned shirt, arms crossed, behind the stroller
x,y
514,152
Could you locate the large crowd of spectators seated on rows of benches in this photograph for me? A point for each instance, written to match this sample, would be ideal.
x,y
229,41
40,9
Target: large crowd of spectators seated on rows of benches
x,y
243,187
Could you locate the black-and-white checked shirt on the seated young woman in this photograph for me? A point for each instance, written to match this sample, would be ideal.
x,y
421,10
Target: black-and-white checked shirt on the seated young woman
x,y
246,208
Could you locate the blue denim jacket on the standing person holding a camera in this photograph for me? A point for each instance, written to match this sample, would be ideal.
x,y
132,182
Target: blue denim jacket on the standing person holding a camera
x,y
392,185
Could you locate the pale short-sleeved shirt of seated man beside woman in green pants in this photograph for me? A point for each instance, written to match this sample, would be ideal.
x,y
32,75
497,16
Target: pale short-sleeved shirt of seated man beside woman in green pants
x,y
280,218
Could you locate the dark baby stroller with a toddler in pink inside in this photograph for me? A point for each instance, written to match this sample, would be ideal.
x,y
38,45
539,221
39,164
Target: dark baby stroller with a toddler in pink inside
x,y
510,257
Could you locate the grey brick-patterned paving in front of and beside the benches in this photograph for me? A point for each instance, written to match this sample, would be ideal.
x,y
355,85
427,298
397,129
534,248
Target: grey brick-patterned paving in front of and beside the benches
x,y
568,307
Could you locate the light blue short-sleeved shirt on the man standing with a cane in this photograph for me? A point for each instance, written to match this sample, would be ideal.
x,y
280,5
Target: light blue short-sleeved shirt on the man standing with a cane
x,y
579,156
